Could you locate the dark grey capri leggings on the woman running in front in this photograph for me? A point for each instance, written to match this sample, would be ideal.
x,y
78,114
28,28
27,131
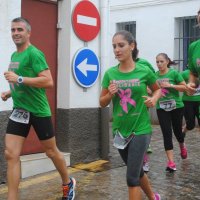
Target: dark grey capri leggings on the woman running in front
x,y
133,156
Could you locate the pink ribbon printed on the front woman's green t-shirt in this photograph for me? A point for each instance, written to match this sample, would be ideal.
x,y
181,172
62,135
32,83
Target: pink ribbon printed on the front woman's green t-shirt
x,y
125,96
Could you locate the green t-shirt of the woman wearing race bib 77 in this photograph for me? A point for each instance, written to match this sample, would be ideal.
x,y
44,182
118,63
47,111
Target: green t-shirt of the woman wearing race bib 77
x,y
170,97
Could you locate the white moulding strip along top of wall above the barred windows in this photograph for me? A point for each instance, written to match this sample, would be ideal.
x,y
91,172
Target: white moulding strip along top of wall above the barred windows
x,y
144,4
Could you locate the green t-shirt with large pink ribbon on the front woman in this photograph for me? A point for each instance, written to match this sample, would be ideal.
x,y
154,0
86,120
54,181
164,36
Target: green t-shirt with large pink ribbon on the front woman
x,y
130,114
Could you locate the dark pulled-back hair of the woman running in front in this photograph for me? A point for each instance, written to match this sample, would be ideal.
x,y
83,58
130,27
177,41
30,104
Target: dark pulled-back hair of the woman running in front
x,y
130,39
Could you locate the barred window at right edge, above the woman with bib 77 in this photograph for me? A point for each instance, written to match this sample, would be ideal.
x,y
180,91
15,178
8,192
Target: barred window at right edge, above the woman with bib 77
x,y
186,32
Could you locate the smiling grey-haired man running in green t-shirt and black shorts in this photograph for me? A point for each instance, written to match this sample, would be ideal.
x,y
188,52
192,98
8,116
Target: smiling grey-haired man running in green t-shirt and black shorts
x,y
29,76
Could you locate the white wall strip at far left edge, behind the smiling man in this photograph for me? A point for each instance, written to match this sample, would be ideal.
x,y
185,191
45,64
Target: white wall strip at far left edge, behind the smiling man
x,y
9,9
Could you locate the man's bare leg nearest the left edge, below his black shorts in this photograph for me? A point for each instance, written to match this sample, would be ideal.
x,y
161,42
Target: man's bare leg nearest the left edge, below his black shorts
x,y
13,148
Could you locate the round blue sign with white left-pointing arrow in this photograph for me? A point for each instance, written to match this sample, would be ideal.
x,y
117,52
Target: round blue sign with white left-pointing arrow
x,y
86,67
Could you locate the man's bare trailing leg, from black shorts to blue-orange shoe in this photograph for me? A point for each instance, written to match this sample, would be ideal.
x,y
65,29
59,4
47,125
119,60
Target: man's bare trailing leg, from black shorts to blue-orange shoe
x,y
57,157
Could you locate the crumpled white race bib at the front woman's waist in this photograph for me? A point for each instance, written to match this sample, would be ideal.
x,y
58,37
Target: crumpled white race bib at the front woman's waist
x,y
120,142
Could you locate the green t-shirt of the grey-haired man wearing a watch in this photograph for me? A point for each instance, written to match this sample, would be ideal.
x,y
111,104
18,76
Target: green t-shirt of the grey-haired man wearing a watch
x,y
29,63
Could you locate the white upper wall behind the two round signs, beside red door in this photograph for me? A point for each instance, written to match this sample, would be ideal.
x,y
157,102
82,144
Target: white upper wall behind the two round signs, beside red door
x,y
70,94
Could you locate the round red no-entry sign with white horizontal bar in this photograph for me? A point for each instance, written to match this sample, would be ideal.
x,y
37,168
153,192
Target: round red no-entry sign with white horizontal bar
x,y
86,20
